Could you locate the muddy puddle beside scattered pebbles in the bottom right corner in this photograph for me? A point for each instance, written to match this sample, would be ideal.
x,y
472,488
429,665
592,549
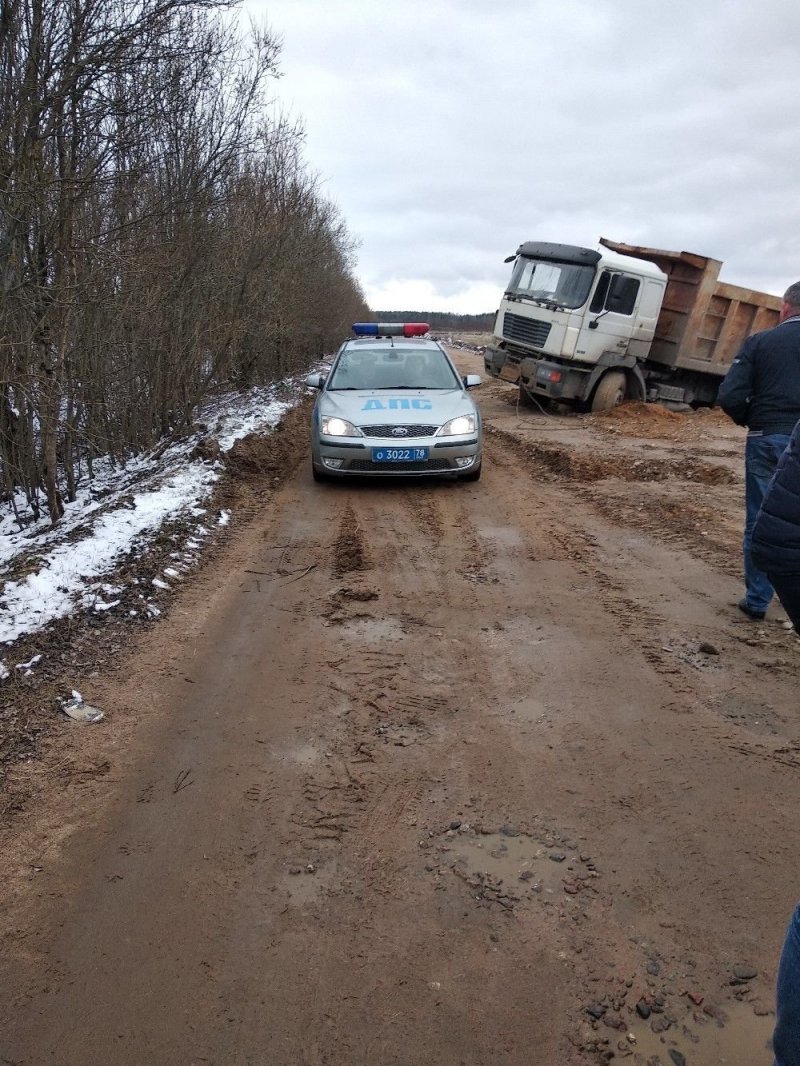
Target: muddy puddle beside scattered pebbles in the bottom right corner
x,y
738,1038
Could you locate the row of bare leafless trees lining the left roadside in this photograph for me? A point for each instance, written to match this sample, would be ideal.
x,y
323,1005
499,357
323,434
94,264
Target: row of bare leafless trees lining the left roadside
x,y
161,234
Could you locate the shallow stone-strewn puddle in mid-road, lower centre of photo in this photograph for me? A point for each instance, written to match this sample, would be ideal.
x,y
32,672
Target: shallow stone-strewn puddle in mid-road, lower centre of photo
x,y
509,866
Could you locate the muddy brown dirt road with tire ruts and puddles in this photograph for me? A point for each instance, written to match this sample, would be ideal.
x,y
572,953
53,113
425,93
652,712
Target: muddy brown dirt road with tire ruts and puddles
x,y
431,774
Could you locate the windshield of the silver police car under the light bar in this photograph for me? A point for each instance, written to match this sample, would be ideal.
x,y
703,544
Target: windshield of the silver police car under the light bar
x,y
393,368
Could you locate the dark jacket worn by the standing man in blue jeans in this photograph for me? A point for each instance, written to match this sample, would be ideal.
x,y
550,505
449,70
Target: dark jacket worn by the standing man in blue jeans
x,y
762,389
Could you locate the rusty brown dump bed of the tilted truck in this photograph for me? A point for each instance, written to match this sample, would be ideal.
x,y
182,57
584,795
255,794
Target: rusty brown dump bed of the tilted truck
x,y
703,321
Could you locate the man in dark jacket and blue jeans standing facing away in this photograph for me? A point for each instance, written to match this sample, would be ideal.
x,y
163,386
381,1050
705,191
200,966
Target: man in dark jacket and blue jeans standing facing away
x,y
762,392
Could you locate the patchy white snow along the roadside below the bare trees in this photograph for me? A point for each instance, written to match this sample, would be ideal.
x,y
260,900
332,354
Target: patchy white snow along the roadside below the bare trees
x,y
119,510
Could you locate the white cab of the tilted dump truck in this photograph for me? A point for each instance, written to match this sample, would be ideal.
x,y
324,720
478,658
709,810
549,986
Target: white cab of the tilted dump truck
x,y
572,316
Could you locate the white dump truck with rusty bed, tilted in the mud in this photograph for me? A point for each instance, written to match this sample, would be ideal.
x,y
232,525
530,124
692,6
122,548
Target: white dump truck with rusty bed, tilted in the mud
x,y
596,327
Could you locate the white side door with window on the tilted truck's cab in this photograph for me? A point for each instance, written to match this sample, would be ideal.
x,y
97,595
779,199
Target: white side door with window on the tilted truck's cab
x,y
611,325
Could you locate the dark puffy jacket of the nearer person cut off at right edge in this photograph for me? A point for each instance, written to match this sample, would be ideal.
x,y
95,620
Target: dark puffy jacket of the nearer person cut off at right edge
x,y
776,545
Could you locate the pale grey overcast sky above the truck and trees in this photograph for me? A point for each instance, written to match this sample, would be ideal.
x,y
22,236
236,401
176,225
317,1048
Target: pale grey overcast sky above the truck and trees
x,y
450,132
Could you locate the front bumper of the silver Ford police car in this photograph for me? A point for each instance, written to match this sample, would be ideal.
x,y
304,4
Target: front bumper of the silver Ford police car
x,y
445,458
